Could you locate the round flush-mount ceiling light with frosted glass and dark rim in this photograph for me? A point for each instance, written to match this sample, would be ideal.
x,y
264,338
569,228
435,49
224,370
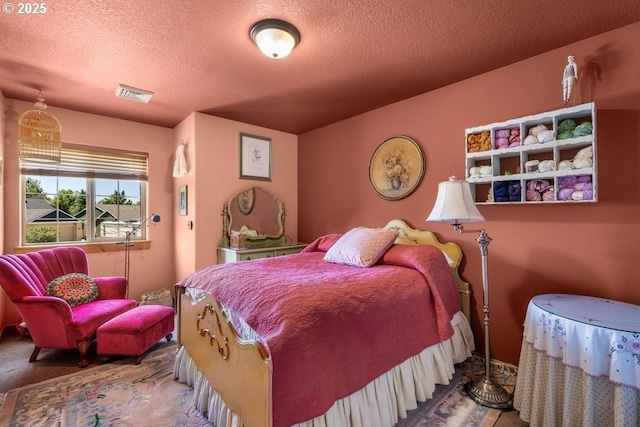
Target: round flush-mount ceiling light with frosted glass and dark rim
x,y
275,38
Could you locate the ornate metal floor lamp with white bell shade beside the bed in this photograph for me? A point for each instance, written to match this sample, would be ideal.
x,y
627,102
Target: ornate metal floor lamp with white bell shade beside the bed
x,y
455,205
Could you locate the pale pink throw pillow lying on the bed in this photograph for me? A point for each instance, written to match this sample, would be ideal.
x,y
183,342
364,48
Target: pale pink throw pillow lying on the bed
x,y
361,246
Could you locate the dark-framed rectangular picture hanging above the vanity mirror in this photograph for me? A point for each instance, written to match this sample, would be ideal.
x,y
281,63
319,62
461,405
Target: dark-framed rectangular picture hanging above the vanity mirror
x,y
255,157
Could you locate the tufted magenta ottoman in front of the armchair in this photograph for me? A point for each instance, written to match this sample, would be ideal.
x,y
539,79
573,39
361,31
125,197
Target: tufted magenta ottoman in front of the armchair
x,y
135,331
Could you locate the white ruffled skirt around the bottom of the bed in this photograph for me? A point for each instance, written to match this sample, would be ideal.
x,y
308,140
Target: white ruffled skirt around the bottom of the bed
x,y
381,403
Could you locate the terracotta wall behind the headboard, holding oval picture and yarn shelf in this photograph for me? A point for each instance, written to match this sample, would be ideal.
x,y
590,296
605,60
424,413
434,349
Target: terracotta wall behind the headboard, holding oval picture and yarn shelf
x,y
575,248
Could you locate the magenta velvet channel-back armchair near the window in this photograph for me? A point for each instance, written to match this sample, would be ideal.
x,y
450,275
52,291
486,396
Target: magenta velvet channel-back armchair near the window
x,y
51,321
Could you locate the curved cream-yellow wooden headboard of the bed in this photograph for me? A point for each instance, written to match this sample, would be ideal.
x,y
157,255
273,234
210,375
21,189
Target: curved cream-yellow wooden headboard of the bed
x,y
412,236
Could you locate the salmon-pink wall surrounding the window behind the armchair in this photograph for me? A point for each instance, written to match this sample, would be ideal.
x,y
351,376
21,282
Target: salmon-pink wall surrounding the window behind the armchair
x,y
150,269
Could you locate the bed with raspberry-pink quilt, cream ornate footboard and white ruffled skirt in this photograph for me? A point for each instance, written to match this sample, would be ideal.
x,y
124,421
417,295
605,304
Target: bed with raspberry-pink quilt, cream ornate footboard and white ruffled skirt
x,y
330,367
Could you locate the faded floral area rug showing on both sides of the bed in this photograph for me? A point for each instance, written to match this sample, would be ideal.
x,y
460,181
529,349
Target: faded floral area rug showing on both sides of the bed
x,y
147,395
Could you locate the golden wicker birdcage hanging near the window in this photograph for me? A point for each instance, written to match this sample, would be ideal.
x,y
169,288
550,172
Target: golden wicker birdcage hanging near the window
x,y
39,134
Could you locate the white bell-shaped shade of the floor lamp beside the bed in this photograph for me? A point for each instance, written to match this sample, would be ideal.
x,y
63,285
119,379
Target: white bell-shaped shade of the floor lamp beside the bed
x,y
454,203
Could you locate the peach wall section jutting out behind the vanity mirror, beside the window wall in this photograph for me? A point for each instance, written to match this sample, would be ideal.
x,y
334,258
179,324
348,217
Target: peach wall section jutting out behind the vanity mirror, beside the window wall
x,y
212,149
